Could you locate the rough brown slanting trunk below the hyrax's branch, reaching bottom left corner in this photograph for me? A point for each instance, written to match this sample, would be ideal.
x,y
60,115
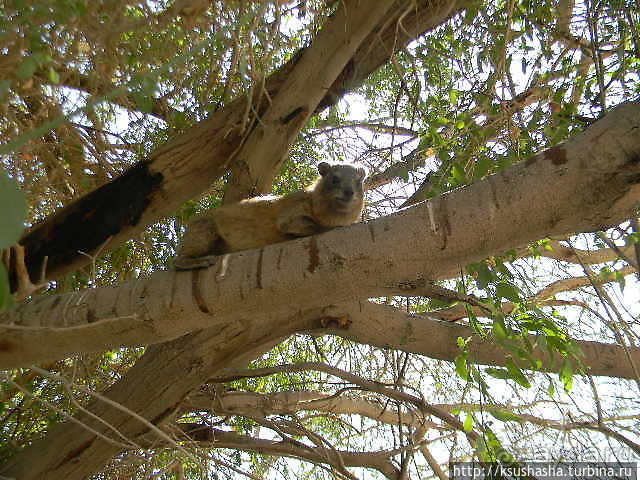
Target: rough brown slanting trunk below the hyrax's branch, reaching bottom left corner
x,y
72,451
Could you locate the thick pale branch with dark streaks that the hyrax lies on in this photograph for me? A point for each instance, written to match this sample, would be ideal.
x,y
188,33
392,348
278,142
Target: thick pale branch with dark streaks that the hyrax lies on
x,y
586,184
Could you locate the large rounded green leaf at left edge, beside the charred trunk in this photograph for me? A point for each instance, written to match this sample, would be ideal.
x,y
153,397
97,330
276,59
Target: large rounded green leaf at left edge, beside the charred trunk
x,y
13,210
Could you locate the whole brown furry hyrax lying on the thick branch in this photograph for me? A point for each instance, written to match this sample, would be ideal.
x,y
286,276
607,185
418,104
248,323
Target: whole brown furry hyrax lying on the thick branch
x,y
334,200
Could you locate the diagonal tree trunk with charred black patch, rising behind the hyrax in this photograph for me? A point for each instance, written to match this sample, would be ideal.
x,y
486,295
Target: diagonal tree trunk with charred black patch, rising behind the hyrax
x,y
186,166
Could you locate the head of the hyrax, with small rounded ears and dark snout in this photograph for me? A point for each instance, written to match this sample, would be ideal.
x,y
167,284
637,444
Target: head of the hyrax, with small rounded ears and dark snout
x,y
341,185
